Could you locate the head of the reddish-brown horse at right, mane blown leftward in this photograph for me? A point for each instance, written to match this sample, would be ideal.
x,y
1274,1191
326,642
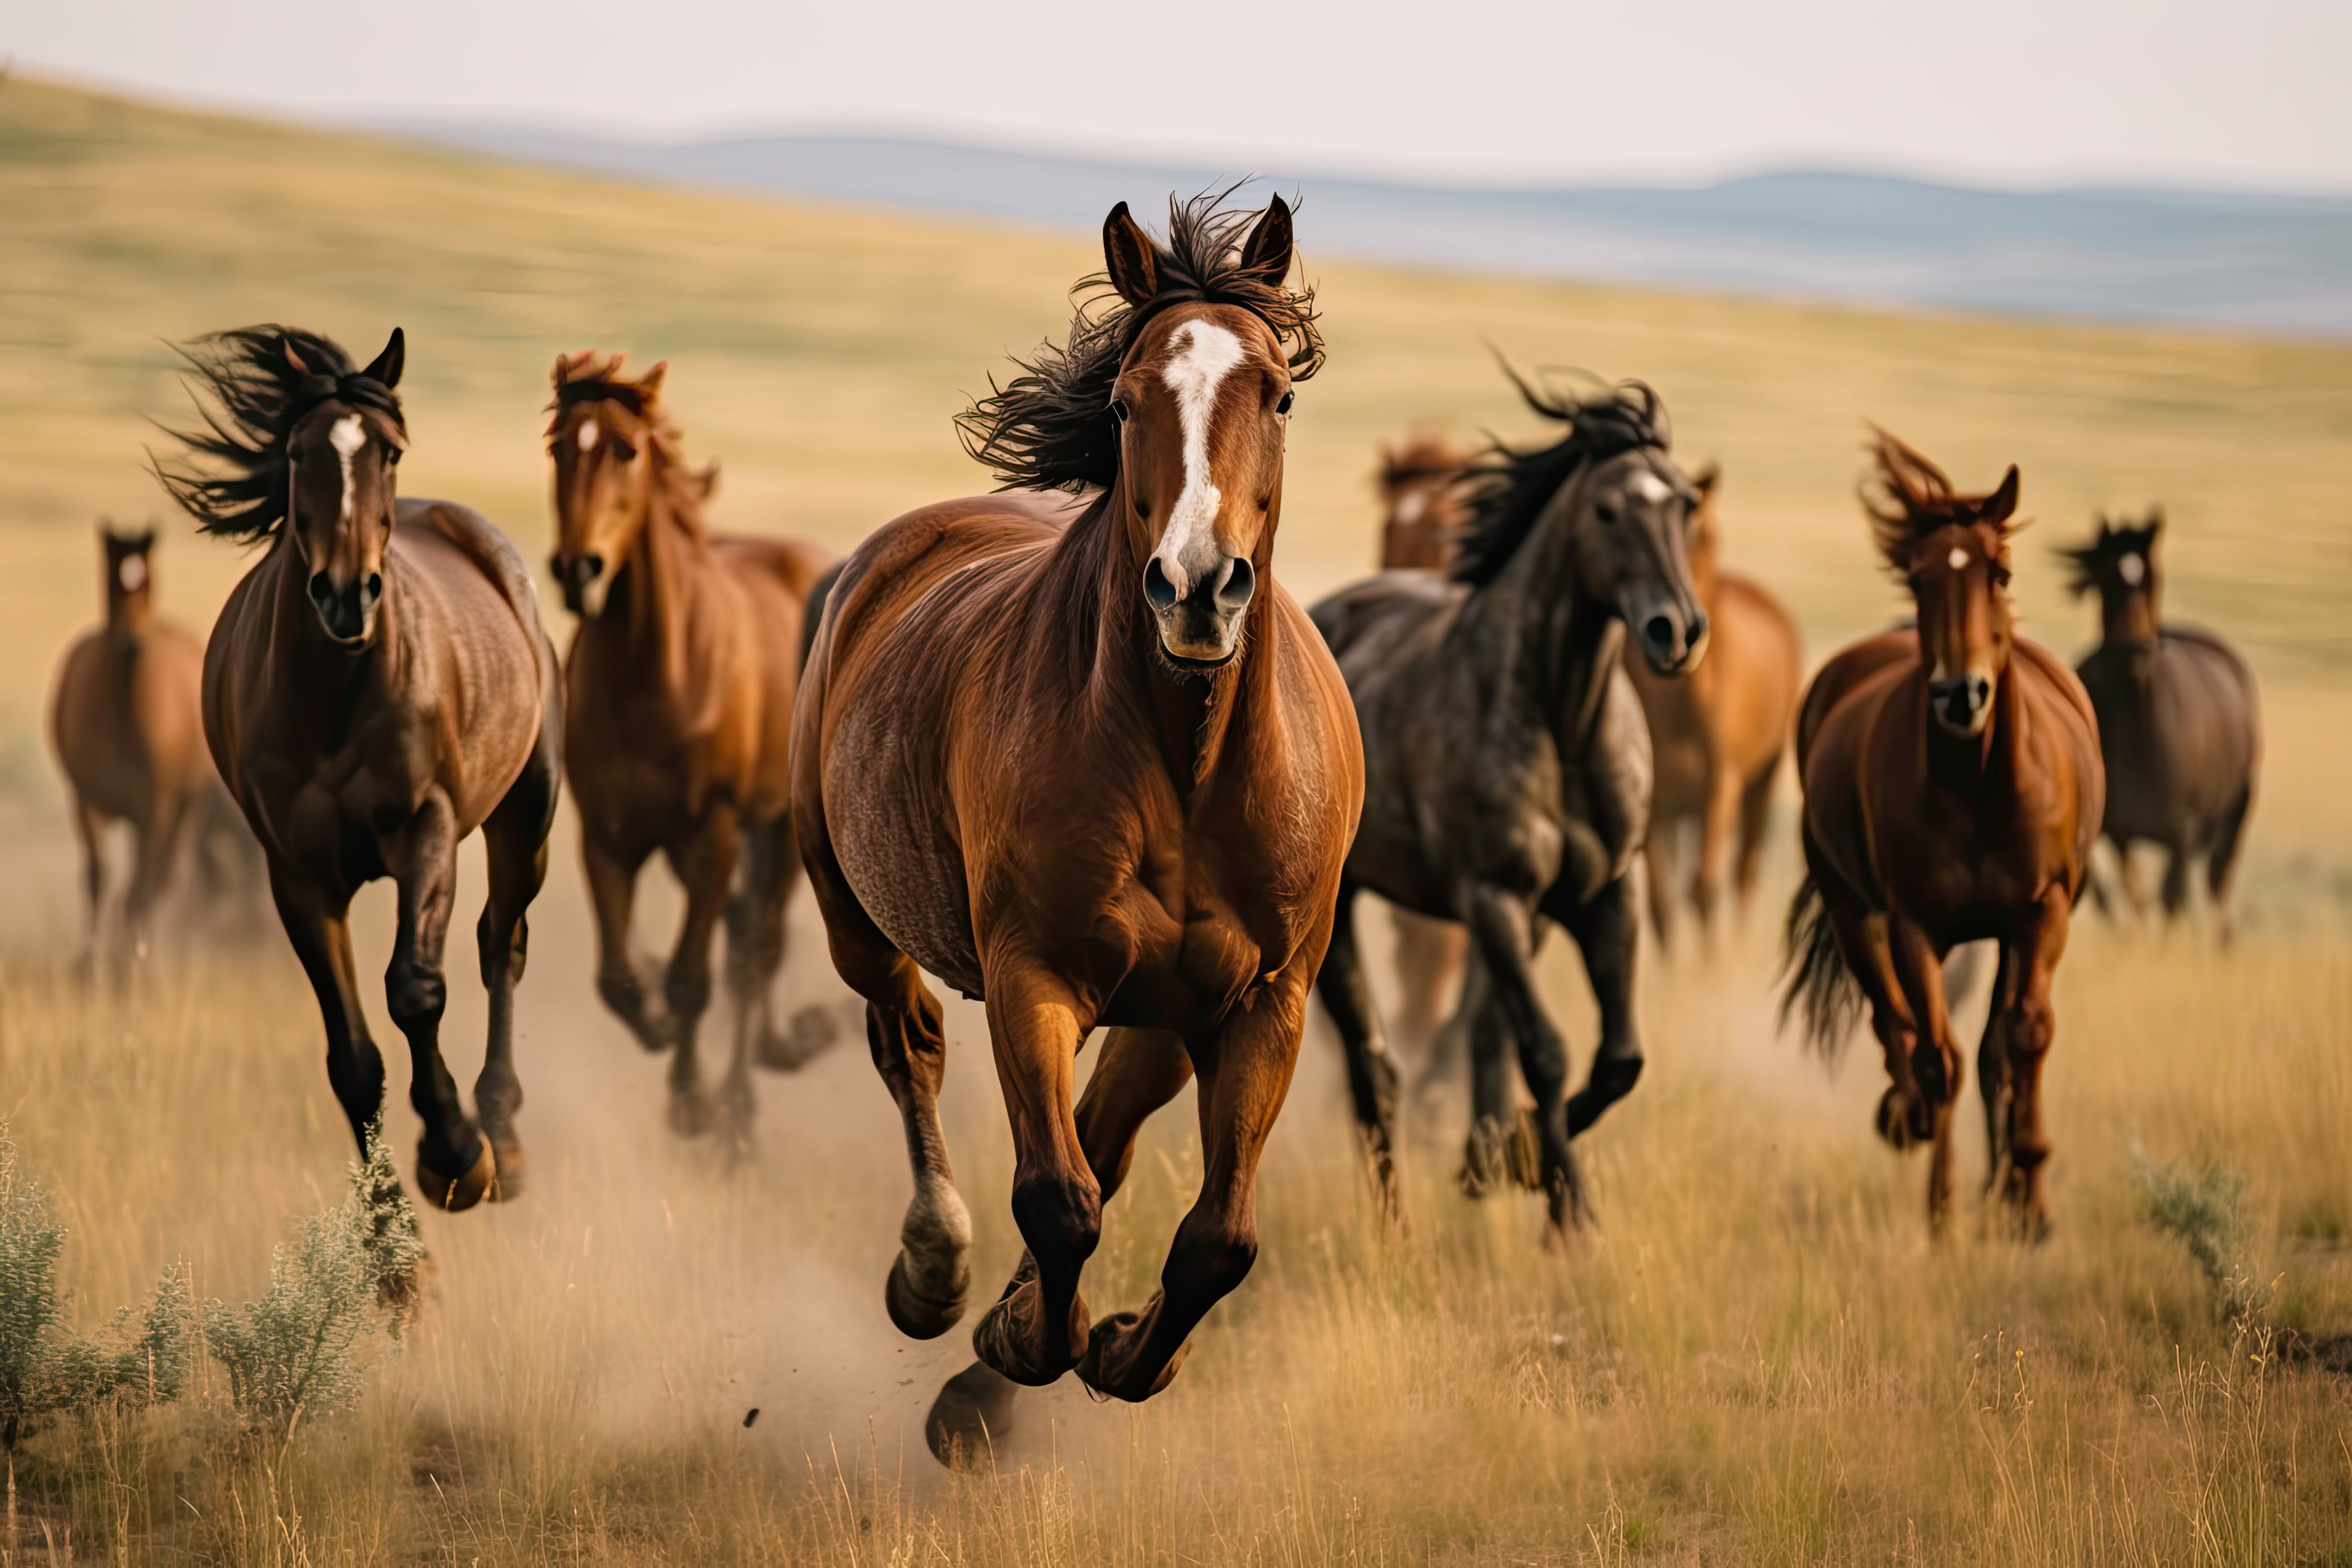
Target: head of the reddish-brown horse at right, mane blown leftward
x,y
1953,556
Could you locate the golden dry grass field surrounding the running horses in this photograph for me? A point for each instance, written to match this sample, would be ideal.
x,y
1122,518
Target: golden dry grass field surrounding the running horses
x,y
1758,1358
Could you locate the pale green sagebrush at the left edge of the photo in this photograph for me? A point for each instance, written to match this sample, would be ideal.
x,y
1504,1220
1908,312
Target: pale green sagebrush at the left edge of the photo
x,y
46,1367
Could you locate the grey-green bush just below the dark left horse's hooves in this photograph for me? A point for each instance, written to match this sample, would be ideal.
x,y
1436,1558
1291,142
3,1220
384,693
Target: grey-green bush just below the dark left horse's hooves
x,y
345,1280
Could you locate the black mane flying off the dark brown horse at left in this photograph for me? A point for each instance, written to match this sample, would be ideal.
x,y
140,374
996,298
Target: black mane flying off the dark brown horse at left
x,y
262,382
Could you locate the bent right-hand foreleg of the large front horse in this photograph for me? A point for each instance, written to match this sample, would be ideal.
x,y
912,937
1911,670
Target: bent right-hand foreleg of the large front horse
x,y
1243,1078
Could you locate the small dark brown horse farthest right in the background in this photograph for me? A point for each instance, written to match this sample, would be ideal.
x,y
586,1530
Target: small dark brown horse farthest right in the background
x,y
2179,721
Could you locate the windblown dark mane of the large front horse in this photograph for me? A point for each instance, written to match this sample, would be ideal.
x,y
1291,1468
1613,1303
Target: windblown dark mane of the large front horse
x,y
1050,427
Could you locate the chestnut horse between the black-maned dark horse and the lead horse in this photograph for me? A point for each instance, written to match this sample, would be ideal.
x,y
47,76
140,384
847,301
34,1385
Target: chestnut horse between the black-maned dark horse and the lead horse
x,y
679,723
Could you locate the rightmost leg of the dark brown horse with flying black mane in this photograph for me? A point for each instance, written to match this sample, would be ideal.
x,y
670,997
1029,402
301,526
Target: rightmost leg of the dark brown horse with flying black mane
x,y
516,845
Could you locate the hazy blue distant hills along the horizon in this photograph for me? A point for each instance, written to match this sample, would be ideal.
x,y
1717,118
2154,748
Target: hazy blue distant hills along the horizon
x,y
2278,267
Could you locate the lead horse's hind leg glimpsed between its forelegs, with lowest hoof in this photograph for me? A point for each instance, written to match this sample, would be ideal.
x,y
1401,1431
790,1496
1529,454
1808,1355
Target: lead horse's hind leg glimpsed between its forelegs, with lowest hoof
x,y
1137,1073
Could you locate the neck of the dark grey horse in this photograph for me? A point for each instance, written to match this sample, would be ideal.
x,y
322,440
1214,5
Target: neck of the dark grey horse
x,y
1556,638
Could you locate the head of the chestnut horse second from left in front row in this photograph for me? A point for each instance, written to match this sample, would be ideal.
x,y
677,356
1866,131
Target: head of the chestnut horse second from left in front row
x,y
610,448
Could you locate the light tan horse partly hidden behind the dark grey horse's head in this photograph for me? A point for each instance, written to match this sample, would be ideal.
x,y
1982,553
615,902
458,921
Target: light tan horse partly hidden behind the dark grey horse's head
x,y
1718,735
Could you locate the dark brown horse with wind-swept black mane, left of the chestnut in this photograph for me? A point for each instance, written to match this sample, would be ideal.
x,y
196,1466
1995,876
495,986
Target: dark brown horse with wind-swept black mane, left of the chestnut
x,y
375,690
